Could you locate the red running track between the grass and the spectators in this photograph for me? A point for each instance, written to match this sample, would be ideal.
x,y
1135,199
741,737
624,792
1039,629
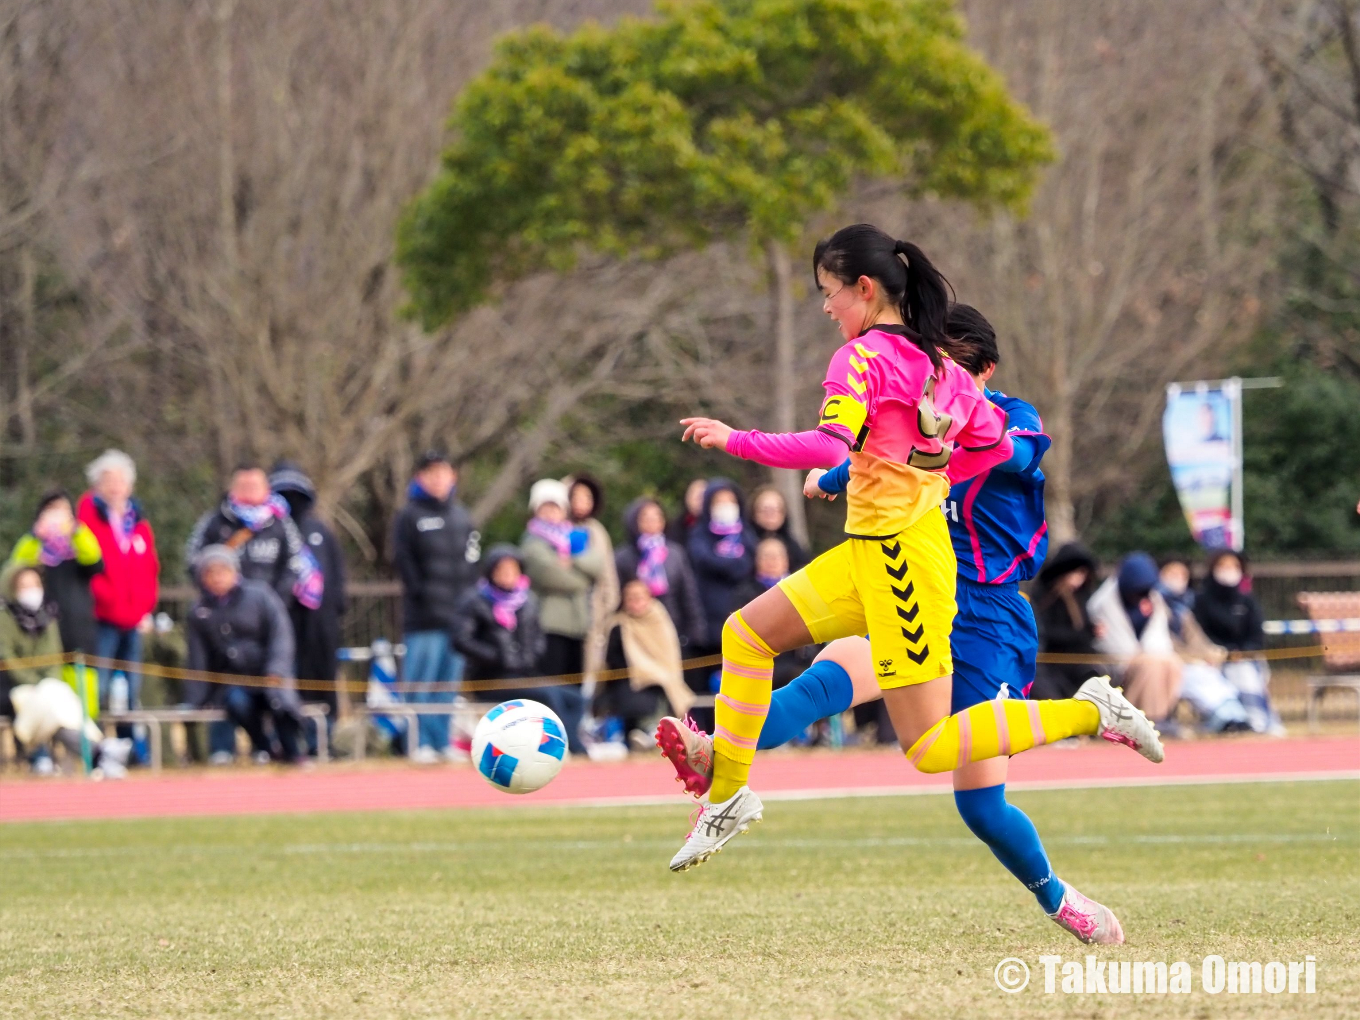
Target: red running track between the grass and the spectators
x,y
644,781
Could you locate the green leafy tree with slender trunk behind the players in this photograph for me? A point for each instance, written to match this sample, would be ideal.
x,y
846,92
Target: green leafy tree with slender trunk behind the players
x,y
712,120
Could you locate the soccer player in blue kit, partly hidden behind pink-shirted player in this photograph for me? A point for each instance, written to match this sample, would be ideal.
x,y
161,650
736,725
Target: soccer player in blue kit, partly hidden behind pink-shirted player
x,y
1000,538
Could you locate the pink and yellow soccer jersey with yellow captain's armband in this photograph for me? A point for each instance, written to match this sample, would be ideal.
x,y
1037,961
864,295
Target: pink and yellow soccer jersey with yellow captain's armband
x,y
904,424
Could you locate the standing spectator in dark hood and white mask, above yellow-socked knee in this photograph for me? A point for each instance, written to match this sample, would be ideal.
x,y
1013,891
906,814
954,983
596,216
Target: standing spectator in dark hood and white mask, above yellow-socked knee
x,y
723,551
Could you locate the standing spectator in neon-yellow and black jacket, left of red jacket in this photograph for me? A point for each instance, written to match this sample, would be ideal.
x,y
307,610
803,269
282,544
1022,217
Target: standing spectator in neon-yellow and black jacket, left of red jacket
x,y
70,557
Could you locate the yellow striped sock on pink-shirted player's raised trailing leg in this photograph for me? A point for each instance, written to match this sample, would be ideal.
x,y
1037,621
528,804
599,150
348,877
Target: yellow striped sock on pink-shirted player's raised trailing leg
x,y
1000,728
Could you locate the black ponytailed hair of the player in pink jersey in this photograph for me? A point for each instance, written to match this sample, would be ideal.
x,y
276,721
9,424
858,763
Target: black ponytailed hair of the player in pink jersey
x,y
902,270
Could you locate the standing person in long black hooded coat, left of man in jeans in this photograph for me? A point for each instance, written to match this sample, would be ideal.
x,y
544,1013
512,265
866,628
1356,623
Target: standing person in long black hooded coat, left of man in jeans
x,y
316,632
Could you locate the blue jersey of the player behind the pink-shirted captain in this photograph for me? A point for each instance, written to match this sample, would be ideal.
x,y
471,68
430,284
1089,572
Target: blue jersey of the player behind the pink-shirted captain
x,y
996,520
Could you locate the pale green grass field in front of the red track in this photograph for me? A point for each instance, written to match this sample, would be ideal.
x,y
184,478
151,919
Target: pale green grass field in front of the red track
x,y
881,908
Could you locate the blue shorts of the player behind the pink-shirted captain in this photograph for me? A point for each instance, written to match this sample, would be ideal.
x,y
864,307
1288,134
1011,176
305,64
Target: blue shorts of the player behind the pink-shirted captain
x,y
995,644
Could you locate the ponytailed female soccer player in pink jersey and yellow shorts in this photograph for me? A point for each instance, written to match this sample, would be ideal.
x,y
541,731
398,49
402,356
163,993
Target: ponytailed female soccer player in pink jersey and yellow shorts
x,y
906,414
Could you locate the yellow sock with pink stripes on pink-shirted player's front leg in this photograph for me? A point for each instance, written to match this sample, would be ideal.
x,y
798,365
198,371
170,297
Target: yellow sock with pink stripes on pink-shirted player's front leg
x,y
742,707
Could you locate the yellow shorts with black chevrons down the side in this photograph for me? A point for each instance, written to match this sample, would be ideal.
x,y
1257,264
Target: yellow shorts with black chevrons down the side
x,y
898,591
